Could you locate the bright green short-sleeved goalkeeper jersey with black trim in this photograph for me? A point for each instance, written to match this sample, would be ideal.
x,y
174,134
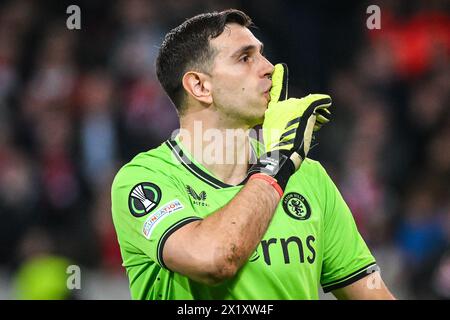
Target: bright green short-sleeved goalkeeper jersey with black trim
x,y
312,240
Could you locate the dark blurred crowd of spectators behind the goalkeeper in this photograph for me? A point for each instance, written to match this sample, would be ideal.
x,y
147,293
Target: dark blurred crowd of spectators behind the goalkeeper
x,y
75,105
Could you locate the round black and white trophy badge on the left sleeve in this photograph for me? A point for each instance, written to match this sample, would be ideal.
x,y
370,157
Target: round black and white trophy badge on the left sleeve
x,y
143,198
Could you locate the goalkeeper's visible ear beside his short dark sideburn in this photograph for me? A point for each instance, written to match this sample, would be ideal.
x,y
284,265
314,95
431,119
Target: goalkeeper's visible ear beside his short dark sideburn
x,y
198,85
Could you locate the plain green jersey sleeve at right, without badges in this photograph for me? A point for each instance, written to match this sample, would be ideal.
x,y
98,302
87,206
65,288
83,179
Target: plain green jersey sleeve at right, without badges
x,y
346,256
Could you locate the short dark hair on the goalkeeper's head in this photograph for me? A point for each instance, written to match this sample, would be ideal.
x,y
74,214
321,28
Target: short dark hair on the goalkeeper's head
x,y
187,46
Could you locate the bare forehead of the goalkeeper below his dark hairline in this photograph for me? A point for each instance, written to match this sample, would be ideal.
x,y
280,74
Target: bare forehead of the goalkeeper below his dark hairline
x,y
232,38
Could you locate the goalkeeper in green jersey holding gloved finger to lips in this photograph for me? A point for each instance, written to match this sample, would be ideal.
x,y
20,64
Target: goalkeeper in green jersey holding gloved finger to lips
x,y
189,228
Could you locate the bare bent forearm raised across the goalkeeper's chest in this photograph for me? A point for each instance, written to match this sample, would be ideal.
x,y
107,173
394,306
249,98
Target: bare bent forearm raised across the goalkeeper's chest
x,y
213,249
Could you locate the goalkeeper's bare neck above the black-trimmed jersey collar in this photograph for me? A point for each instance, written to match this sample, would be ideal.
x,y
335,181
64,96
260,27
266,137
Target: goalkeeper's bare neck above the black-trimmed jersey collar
x,y
222,149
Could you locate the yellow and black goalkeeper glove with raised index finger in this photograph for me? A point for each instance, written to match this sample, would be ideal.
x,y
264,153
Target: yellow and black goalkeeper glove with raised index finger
x,y
288,128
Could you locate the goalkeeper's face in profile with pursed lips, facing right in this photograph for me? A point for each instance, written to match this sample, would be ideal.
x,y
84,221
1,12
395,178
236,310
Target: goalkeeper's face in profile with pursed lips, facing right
x,y
240,76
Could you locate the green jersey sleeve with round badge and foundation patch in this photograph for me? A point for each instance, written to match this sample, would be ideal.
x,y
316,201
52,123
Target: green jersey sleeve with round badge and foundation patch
x,y
147,207
